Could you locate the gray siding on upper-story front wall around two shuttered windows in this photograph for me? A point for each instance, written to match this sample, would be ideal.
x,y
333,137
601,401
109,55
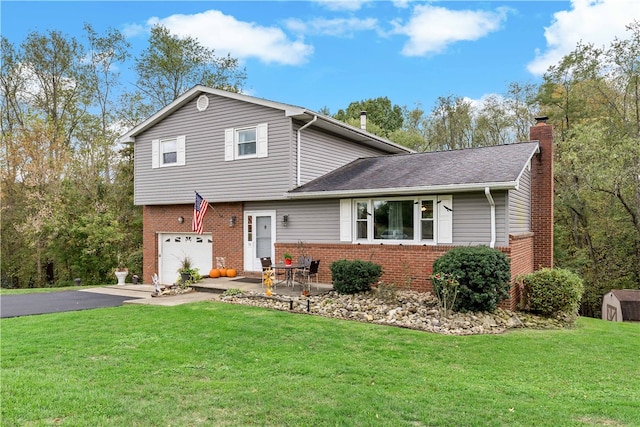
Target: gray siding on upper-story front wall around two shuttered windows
x,y
206,171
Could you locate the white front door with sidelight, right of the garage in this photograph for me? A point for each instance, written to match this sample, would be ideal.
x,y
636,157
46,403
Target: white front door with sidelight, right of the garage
x,y
259,237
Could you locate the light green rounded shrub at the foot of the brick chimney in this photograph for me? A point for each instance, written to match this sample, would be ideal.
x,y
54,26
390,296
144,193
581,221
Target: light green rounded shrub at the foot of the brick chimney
x,y
551,292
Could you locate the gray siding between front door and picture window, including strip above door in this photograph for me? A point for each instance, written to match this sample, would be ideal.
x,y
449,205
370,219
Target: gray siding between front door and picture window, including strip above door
x,y
311,221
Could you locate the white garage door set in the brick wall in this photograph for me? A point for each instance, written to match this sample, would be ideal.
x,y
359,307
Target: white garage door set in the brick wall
x,y
173,247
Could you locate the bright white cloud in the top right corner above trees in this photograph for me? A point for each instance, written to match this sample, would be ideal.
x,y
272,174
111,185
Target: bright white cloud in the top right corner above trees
x,y
588,21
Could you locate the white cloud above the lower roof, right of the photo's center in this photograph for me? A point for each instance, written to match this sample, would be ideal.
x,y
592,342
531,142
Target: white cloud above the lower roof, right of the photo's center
x,y
431,29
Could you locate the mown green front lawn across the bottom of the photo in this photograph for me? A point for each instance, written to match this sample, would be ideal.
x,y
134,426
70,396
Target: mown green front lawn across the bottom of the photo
x,y
217,364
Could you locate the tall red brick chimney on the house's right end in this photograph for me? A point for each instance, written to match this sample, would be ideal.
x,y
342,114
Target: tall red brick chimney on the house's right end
x,y
542,194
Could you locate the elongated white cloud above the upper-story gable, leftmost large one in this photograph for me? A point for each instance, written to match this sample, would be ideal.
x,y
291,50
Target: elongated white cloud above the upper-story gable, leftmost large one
x,y
242,40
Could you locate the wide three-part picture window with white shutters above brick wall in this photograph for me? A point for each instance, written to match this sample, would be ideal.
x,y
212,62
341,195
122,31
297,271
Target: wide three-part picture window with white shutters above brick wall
x,y
417,220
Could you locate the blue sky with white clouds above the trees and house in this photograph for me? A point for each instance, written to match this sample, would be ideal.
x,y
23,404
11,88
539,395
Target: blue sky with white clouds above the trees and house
x,y
319,54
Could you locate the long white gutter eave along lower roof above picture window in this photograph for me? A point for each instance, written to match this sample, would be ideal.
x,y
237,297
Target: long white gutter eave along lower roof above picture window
x,y
430,189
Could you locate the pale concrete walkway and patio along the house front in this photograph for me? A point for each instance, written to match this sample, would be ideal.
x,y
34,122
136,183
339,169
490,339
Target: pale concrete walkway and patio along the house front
x,y
206,290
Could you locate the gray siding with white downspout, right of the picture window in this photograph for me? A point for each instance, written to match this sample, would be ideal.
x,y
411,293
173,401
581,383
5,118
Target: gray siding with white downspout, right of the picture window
x,y
472,219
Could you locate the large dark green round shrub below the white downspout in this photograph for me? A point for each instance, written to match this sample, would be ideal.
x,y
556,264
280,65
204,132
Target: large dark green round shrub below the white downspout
x,y
483,273
